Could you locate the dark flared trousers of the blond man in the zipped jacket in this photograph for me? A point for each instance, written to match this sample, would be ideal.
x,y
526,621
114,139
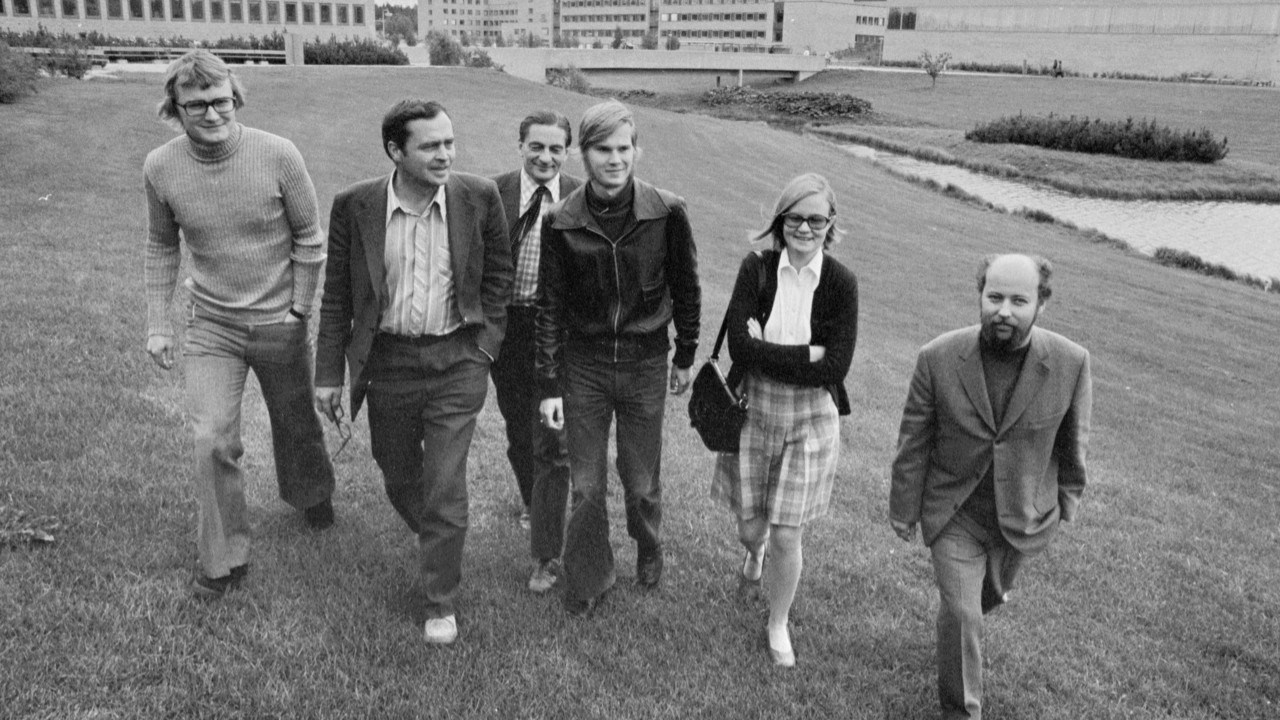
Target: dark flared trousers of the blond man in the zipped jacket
x,y
596,393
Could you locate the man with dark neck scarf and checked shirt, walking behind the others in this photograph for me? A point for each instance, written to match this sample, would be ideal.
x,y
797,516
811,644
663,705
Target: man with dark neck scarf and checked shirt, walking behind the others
x,y
538,454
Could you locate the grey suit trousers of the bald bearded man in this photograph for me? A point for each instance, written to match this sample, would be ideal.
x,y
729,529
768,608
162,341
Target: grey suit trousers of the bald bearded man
x,y
971,562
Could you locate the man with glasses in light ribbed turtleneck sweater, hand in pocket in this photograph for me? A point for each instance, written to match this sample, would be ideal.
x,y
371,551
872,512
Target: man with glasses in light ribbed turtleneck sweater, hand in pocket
x,y
243,203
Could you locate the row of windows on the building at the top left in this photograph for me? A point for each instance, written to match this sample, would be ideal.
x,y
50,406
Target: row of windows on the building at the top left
x,y
200,11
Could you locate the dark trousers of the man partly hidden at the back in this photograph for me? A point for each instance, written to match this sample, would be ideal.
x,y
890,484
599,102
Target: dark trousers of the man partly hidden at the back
x,y
538,455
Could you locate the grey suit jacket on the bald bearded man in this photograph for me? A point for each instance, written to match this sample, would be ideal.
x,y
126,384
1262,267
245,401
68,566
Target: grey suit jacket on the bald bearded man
x,y
949,439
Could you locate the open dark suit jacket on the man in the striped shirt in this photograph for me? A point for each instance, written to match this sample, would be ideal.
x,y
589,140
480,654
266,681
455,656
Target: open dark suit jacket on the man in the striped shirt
x,y
355,289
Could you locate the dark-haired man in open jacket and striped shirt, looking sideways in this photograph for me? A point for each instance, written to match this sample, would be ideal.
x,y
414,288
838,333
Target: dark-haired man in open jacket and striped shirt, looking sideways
x,y
415,302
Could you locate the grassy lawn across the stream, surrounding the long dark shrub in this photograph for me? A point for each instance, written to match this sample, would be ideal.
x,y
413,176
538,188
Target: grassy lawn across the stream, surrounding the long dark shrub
x,y
927,122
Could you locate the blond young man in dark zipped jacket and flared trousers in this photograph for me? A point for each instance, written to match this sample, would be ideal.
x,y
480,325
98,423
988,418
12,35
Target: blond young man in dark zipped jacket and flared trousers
x,y
619,266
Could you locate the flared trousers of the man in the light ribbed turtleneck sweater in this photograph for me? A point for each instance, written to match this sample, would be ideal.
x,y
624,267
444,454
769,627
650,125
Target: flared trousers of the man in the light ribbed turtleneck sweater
x,y
220,354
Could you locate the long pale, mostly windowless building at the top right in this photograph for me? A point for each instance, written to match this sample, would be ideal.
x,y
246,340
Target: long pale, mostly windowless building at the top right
x,y
1215,39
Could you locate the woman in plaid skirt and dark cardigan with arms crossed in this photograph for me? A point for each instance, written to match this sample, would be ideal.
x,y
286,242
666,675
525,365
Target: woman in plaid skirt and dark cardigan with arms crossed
x,y
793,323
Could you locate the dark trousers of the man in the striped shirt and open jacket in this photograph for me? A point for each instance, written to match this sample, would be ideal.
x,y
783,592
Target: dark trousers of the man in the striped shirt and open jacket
x,y
424,397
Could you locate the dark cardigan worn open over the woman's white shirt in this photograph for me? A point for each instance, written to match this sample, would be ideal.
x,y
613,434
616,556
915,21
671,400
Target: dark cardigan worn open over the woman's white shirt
x,y
834,325
